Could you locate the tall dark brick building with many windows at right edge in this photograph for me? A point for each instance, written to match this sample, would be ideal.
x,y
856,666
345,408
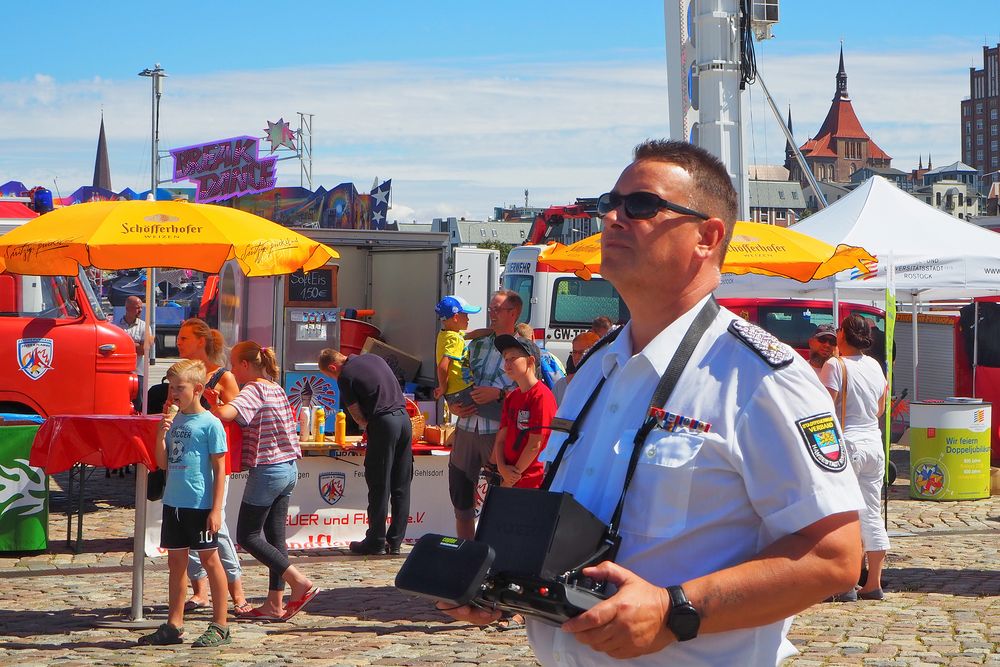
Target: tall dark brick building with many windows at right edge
x,y
981,117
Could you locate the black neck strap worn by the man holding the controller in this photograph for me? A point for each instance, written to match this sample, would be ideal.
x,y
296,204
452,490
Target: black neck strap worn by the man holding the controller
x,y
662,392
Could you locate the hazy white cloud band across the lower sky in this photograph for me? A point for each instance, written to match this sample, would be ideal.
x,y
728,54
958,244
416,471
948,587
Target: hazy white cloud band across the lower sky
x,y
458,138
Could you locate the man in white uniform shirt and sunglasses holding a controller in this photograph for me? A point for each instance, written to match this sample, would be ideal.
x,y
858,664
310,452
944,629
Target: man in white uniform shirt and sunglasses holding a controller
x,y
742,510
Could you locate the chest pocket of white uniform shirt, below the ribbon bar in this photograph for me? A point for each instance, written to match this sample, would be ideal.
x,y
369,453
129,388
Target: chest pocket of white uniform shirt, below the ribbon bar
x,y
657,501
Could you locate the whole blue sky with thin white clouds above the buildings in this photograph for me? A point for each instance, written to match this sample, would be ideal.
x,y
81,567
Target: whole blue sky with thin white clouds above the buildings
x,y
463,104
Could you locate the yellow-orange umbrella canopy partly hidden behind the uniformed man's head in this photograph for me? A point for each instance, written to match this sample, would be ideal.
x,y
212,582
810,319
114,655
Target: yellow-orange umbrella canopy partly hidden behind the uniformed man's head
x,y
755,248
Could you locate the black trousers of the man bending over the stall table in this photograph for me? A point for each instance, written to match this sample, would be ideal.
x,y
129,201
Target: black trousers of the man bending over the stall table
x,y
388,473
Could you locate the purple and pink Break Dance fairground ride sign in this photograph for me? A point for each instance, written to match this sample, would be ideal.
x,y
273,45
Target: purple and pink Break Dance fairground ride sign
x,y
225,169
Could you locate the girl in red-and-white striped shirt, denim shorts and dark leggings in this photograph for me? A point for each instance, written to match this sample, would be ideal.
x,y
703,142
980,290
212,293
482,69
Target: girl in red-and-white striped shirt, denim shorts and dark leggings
x,y
270,450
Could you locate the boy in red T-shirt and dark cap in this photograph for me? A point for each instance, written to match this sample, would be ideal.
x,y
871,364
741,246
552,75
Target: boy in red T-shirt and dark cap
x,y
525,411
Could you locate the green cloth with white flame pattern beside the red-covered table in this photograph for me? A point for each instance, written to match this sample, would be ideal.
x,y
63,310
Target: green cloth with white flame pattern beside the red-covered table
x,y
24,493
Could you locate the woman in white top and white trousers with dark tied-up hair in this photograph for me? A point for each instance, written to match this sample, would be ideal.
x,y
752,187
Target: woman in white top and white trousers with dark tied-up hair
x,y
860,401
